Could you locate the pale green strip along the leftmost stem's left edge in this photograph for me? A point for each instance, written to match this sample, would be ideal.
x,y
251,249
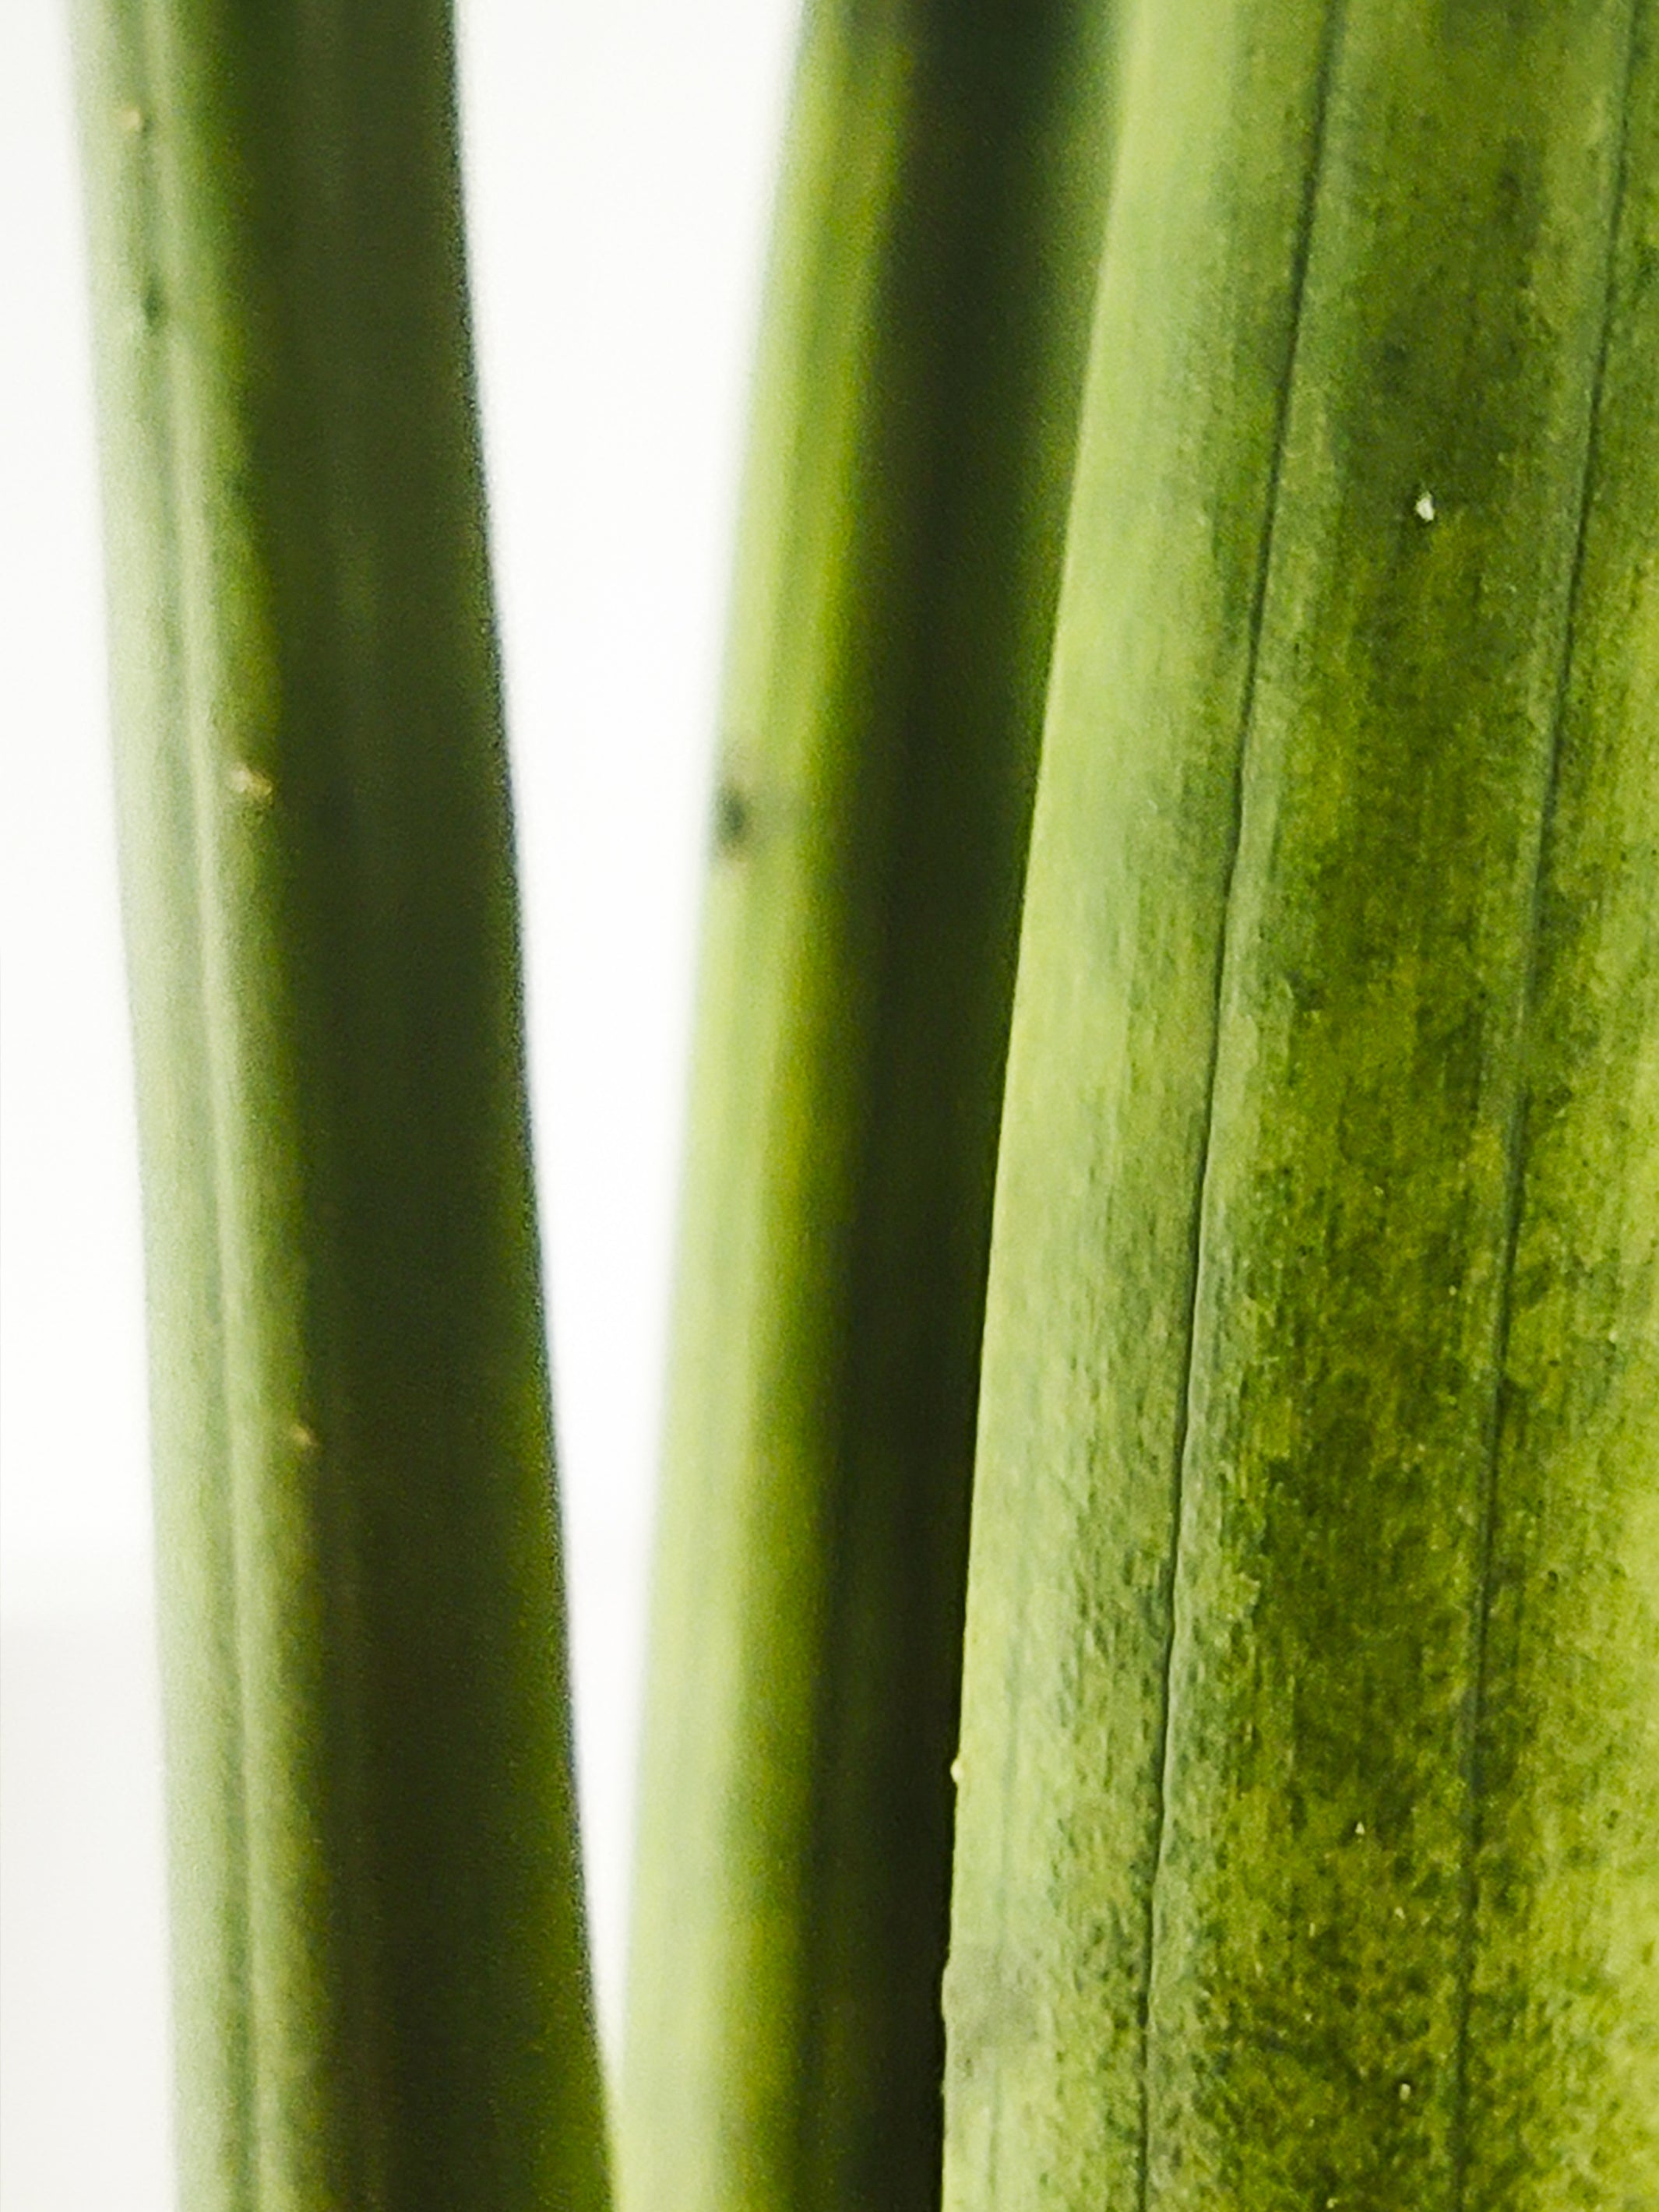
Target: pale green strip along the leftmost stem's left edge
x,y
160,884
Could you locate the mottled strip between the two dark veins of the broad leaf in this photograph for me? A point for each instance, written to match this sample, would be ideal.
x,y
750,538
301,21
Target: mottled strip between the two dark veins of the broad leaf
x,y
1359,1202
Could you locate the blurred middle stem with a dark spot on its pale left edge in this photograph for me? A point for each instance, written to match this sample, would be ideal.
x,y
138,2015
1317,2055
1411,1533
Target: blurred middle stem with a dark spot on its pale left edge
x,y
917,399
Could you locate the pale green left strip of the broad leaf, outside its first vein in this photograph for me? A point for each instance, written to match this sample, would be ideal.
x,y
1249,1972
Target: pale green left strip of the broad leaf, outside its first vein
x,y
1107,1114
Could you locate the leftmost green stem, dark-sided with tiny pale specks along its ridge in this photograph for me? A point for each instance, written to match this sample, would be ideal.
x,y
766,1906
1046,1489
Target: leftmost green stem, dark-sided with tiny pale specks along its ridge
x,y
377,1919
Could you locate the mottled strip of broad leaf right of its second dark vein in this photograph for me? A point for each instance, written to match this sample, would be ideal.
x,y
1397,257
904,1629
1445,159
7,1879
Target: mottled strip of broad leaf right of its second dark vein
x,y
1563,2038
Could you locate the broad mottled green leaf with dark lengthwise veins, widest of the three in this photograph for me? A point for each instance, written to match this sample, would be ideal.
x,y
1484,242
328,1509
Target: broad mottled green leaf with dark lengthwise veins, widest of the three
x,y
1308,1846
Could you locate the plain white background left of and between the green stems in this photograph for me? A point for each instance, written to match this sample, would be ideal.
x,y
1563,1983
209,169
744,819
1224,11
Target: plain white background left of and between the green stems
x,y
618,174
